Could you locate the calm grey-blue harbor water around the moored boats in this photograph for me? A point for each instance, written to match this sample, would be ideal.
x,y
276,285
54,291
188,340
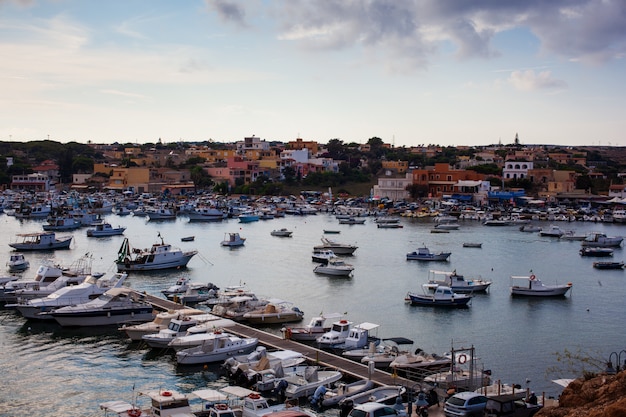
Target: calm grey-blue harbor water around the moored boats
x,y
55,371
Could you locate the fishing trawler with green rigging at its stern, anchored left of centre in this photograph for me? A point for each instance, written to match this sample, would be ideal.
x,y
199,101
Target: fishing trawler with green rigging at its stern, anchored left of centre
x,y
160,256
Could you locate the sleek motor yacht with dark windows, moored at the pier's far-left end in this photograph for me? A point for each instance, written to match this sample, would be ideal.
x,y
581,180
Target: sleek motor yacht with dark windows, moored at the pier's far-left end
x,y
116,306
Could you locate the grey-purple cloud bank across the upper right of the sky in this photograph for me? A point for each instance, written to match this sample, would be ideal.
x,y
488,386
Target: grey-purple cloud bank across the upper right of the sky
x,y
413,30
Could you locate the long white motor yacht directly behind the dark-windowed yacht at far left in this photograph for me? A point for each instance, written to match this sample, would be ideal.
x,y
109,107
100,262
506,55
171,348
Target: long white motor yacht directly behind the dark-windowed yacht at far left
x,y
89,289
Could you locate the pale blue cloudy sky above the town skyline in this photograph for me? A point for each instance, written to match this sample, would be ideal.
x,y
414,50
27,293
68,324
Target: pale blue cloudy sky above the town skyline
x,y
411,72
